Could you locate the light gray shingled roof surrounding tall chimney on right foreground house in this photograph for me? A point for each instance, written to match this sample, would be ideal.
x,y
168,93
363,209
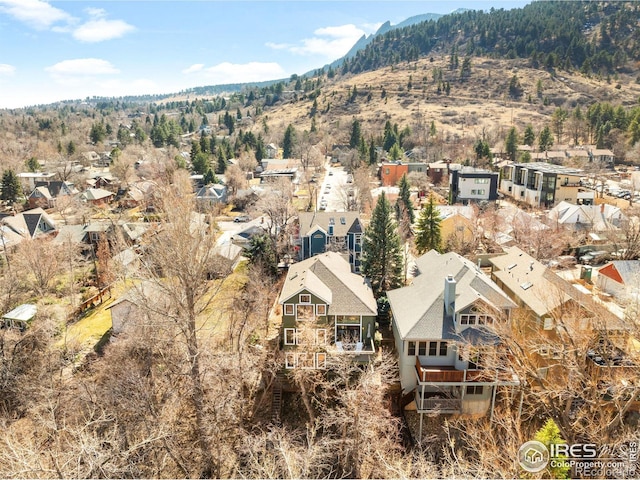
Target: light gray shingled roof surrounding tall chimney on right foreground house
x,y
418,310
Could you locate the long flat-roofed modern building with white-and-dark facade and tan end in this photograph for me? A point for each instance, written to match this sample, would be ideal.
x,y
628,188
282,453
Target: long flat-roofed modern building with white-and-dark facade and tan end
x,y
541,184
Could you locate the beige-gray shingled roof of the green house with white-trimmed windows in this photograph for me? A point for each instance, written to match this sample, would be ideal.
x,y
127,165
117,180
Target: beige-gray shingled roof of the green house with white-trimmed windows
x,y
329,277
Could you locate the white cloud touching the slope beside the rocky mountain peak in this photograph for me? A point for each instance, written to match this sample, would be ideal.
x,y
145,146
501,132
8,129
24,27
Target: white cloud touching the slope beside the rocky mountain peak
x,y
329,42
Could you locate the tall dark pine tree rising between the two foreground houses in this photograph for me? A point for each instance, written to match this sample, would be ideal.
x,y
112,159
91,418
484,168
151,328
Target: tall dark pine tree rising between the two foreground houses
x,y
381,254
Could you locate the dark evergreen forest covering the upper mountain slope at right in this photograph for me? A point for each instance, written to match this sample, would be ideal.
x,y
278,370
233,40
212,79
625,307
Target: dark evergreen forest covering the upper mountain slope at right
x,y
588,36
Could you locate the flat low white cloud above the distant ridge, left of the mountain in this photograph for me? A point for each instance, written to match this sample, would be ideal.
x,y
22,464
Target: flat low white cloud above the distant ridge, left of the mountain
x,y
238,73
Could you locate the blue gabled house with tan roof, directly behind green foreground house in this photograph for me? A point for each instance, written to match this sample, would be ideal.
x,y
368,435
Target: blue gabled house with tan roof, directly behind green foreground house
x,y
338,231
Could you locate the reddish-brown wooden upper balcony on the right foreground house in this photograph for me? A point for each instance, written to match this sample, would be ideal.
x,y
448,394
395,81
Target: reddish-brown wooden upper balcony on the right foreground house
x,y
449,374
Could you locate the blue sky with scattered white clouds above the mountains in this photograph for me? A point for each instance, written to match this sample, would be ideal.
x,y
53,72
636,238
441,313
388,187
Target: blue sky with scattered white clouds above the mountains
x,y
73,49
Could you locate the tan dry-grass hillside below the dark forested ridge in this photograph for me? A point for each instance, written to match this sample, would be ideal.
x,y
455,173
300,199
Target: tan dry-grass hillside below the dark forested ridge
x,y
478,106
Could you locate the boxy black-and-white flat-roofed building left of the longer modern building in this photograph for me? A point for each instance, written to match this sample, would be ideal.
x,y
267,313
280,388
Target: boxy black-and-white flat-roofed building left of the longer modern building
x,y
469,184
